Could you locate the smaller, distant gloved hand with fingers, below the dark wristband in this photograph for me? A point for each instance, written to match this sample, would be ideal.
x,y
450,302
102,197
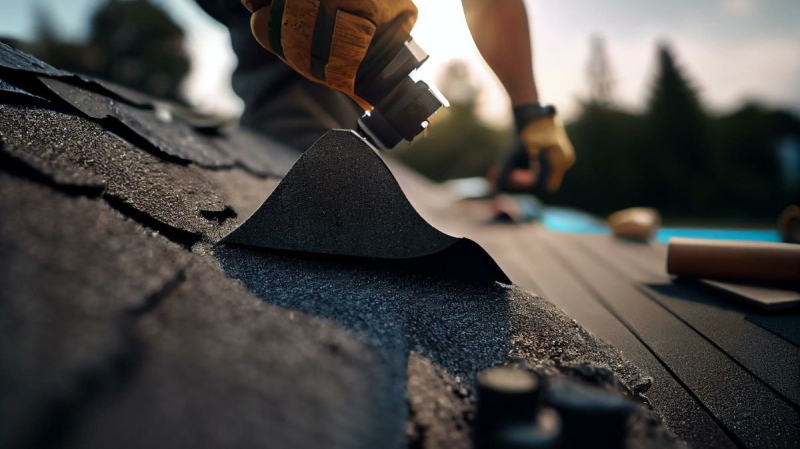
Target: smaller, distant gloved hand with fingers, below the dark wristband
x,y
544,154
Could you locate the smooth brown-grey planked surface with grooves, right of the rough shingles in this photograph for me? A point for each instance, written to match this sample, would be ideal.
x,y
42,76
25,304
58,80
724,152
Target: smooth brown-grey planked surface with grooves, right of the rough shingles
x,y
724,375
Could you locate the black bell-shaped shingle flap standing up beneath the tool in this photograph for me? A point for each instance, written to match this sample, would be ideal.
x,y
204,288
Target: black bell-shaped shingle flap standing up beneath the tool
x,y
341,199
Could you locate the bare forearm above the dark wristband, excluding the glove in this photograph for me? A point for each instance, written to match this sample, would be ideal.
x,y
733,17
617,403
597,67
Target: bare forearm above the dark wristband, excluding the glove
x,y
501,33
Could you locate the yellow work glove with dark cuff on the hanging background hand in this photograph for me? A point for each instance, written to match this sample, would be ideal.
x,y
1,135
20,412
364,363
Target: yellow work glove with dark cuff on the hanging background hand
x,y
541,131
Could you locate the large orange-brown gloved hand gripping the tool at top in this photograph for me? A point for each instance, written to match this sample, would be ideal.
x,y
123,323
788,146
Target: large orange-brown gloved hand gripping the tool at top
x,y
339,43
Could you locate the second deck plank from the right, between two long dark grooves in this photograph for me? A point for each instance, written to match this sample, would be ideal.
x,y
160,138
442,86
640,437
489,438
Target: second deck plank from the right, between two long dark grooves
x,y
739,401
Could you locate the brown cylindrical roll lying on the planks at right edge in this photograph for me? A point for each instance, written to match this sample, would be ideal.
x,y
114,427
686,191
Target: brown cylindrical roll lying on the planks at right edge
x,y
734,260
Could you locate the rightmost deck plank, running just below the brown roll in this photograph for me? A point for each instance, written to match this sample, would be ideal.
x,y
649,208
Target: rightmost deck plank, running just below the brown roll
x,y
772,359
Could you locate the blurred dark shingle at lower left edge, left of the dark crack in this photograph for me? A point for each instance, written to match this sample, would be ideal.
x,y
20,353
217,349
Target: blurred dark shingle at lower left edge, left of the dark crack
x,y
74,267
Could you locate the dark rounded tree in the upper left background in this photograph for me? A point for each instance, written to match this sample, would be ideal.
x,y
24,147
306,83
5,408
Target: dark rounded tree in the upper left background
x,y
131,42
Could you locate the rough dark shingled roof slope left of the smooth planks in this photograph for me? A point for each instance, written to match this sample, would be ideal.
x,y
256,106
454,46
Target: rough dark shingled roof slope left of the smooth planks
x,y
126,323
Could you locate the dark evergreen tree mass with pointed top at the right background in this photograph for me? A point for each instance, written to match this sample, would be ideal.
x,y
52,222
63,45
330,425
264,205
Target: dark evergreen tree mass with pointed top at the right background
x,y
676,158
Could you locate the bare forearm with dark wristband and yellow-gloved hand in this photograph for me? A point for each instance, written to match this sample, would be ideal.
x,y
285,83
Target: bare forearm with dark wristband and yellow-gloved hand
x,y
501,32
